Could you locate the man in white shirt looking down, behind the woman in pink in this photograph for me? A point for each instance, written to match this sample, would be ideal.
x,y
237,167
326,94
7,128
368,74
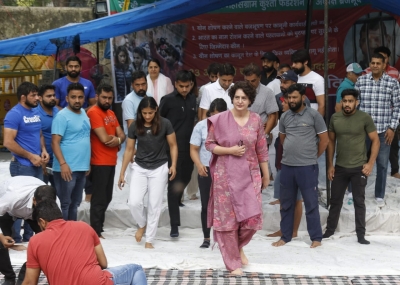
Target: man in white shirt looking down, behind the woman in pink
x,y
218,89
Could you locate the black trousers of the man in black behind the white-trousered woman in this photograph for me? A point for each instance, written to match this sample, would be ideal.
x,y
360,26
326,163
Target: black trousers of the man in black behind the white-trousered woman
x,y
184,168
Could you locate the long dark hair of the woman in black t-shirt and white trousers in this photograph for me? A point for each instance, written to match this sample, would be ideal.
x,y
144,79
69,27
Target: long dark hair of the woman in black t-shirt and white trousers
x,y
148,102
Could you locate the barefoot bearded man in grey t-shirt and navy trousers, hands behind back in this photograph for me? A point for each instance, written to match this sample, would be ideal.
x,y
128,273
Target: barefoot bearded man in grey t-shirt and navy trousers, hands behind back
x,y
304,137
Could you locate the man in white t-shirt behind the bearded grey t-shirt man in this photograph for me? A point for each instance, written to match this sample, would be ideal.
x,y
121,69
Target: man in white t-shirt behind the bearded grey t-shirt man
x,y
314,83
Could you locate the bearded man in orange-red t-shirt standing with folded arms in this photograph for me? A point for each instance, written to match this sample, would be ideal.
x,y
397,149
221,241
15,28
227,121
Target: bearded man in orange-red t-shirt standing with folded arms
x,y
106,137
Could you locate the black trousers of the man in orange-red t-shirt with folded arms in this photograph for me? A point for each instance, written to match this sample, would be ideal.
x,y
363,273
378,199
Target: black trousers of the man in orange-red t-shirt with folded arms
x,y
102,179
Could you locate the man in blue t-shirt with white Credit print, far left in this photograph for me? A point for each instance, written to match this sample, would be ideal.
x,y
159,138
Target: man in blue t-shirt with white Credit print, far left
x,y
23,136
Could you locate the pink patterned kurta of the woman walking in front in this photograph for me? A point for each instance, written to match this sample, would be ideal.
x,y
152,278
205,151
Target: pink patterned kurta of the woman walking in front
x,y
221,212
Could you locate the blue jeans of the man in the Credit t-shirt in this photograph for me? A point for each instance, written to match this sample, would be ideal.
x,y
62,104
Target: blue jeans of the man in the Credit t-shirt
x,y
17,169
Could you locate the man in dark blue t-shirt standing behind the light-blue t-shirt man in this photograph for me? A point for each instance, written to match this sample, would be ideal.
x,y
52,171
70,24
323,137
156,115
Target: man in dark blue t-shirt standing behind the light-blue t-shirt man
x,y
73,67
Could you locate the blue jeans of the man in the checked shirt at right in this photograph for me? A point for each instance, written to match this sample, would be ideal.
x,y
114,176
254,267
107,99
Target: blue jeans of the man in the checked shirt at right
x,y
381,165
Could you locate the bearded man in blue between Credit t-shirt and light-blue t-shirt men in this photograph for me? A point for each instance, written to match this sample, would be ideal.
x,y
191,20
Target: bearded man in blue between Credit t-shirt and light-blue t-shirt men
x,y
47,110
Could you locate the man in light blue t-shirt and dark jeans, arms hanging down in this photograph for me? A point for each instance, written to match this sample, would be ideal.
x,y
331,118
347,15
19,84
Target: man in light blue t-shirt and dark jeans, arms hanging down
x,y
71,146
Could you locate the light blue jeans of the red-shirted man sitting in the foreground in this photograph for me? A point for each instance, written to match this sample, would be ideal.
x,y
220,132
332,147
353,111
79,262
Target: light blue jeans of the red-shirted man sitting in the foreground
x,y
128,274
